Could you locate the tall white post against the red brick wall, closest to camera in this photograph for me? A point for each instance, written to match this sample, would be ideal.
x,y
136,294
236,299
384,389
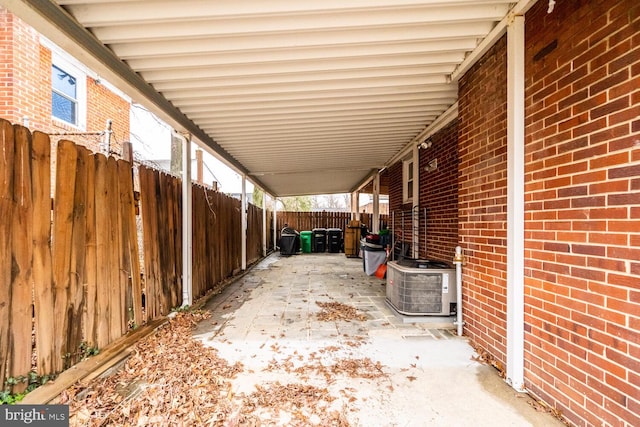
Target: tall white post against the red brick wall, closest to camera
x,y
515,203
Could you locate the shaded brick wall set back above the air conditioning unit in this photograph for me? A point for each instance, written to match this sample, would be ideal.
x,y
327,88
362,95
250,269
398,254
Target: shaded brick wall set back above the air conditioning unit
x,y
439,195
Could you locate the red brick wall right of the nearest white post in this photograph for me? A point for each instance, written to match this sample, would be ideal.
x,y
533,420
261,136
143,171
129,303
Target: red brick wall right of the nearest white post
x,y
583,209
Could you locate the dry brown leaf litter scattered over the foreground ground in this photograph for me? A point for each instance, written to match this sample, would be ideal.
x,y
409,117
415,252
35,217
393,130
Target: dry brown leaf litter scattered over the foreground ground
x,y
173,379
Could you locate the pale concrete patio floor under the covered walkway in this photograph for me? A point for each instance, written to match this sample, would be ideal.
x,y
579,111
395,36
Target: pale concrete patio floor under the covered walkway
x,y
267,320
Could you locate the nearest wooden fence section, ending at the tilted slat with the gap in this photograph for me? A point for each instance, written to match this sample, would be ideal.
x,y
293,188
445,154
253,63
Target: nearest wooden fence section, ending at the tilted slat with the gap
x,y
74,273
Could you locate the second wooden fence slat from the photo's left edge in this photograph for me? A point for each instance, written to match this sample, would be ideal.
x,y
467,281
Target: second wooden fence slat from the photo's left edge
x,y
22,258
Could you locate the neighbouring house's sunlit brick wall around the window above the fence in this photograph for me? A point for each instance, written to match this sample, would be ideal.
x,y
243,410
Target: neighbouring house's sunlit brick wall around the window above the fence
x,y
25,90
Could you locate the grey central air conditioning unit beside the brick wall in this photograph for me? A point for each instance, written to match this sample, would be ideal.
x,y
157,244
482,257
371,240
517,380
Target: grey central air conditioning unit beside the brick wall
x,y
421,287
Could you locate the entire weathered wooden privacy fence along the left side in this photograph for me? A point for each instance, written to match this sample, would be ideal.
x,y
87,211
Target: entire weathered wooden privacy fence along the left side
x,y
70,269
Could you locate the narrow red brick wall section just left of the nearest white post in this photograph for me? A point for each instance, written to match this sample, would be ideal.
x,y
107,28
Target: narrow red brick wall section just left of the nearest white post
x,y
482,199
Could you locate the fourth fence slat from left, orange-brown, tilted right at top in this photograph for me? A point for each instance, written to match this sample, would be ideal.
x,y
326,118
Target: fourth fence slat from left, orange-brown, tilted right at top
x,y
62,241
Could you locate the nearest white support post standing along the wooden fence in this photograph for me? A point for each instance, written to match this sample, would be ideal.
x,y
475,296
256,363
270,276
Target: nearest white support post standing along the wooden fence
x,y
187,224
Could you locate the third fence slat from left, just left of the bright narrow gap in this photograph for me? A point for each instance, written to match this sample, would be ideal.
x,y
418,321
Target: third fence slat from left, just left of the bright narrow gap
x,y
42,273
